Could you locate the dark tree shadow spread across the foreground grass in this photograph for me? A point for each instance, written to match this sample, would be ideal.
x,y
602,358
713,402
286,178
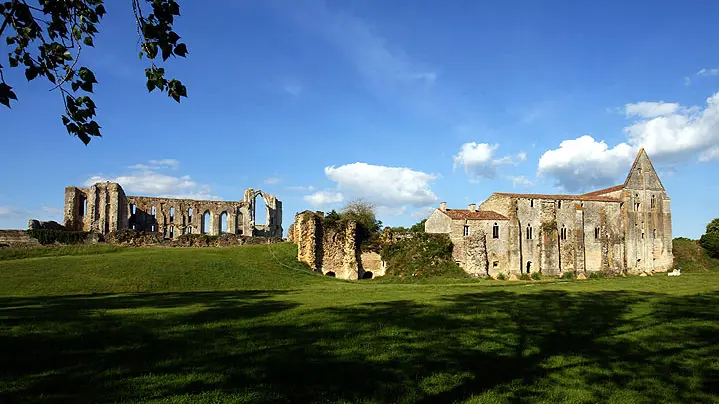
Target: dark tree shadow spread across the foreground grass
x,y
255,346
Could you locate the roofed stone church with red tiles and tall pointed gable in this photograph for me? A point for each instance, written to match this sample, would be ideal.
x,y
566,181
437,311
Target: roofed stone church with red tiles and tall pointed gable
x,y
624,228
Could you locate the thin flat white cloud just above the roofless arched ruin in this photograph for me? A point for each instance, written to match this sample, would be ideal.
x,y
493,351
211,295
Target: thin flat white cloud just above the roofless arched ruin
x,y
147,181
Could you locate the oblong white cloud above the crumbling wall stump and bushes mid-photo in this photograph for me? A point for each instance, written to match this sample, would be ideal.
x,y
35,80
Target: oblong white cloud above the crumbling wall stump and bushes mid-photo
x,y
391,187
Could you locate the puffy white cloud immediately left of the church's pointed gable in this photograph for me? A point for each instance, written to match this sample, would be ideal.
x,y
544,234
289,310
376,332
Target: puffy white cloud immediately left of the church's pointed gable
x,y
584,163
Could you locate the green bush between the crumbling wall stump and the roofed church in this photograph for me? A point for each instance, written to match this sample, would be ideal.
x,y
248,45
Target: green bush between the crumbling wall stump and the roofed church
x,y
426,255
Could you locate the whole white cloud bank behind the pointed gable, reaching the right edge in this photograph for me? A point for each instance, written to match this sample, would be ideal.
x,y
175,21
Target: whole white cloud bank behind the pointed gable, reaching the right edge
x,y
669,132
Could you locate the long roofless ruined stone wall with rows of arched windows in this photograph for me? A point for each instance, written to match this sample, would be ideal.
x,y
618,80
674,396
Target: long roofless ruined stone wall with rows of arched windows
x,y
104,208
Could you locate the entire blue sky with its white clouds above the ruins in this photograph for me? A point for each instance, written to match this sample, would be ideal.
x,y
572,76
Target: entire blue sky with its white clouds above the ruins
x,y
403,104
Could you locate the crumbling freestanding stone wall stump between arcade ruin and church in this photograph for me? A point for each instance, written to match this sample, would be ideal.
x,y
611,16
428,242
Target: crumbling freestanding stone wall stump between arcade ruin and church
x,y
333,252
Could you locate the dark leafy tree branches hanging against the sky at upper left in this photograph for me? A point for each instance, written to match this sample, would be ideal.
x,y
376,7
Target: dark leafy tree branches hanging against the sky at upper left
x,y
47,39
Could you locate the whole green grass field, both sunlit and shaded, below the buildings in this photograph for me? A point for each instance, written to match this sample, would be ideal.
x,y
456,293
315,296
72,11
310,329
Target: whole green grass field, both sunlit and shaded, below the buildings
x,y
250,325
